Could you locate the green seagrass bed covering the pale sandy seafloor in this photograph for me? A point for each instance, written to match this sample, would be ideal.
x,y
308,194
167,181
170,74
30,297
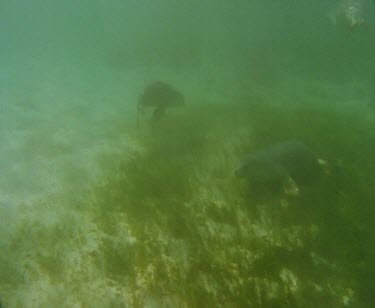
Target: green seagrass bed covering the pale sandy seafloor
x,y
166,228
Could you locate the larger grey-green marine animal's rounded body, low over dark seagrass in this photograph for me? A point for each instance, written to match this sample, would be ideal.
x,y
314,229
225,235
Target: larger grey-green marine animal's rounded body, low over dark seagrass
x,y
274,166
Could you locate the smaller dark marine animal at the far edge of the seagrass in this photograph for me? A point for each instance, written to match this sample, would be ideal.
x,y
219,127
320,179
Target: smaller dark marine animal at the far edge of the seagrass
x,y
160,96
